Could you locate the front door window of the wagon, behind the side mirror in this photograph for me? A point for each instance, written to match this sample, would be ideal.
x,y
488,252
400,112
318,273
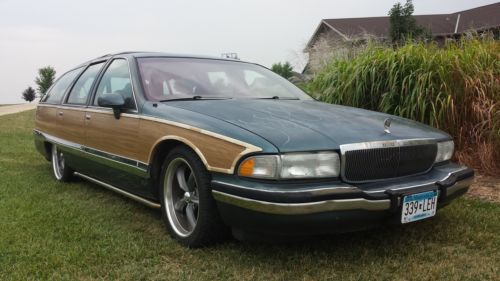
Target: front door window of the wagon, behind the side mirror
x,y
116,79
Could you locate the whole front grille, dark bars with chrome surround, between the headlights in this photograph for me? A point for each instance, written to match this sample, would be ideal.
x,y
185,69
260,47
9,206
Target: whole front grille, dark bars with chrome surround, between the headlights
x,y
376,161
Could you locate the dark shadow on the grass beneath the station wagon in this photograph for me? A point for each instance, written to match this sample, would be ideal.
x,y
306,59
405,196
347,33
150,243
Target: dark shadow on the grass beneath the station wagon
x,y
380,241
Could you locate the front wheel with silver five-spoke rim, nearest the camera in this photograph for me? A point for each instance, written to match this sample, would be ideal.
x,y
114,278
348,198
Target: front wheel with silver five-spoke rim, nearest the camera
x,y
188,209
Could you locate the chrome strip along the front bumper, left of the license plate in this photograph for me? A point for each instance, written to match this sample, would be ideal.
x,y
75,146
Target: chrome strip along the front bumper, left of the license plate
x,y
303,208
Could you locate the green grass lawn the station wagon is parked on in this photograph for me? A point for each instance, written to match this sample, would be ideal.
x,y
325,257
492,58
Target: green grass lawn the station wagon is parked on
x,y
54,231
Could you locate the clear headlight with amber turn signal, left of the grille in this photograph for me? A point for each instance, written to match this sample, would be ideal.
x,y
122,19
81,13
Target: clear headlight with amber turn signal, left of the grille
x,y
292,166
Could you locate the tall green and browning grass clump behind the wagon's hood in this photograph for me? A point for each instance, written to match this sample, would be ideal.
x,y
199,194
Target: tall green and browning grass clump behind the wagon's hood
x,y
455,88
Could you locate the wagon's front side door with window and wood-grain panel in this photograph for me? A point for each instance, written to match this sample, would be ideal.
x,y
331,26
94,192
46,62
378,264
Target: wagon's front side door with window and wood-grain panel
x,y
113,142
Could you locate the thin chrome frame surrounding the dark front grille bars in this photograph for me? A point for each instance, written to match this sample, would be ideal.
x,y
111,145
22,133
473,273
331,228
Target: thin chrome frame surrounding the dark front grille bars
x,y
379,144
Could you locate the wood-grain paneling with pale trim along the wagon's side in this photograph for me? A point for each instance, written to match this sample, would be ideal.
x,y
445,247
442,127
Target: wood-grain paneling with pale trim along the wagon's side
x,y
135,137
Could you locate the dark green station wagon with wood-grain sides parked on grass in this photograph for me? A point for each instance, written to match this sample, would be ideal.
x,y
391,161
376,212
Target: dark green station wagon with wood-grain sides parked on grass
x,y
222,145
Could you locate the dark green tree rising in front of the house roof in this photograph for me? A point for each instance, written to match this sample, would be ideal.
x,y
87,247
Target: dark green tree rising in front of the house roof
x,y
403,24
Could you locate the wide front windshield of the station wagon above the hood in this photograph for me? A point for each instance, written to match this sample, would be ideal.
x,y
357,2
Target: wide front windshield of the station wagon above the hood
x,y
182,78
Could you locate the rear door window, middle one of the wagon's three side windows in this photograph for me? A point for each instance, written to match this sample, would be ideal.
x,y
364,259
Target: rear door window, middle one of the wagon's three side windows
x,y
83,85
